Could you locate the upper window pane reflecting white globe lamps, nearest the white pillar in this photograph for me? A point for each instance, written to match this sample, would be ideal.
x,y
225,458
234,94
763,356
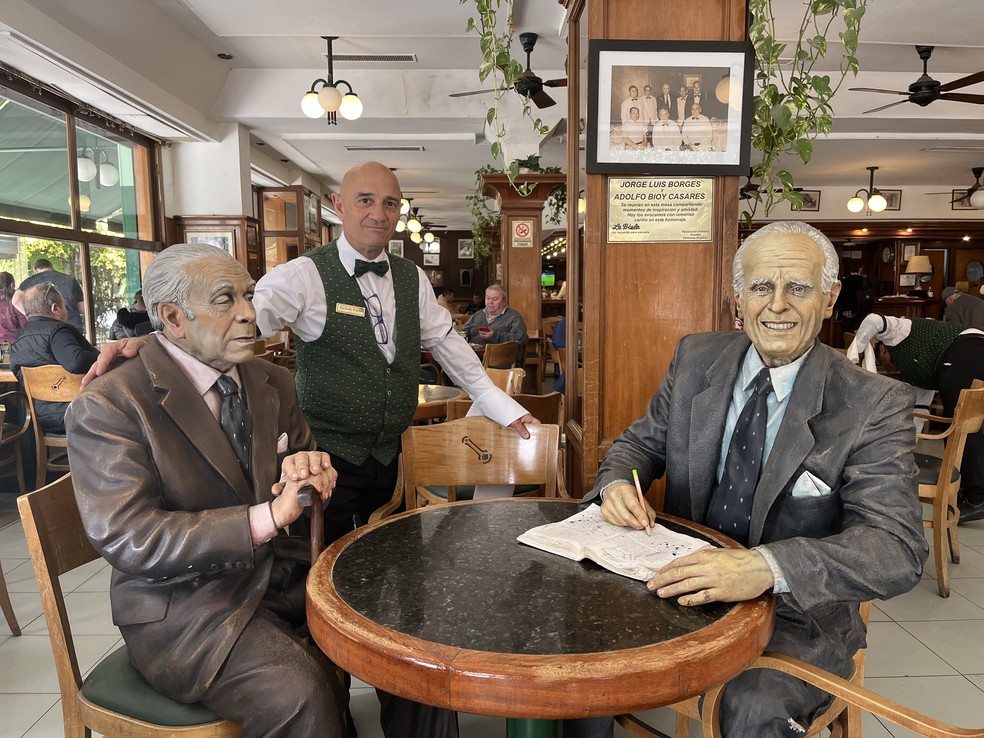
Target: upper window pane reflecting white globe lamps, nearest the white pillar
x,y
114,191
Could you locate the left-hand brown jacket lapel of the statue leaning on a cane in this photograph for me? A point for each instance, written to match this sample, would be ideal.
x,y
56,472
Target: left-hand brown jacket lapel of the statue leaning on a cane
x,y
186,408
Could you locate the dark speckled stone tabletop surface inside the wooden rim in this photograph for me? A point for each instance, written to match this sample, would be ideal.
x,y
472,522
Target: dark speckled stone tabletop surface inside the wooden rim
x,y
457,576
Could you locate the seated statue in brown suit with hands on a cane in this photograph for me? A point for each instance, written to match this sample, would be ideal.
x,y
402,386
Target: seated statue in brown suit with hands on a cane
x,y
176,457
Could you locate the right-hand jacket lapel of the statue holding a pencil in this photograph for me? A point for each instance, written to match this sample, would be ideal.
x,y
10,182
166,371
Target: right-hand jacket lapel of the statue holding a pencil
x,y
793,441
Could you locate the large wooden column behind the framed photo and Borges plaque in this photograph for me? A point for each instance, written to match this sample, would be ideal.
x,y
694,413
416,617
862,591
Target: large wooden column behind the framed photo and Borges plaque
x,y
639,299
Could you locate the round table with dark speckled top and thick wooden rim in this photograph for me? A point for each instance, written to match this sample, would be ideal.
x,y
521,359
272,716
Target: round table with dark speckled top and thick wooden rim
x,y
443,606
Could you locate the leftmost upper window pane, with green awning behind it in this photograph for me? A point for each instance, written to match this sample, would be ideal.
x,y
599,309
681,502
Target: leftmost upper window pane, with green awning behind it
x,y
33,161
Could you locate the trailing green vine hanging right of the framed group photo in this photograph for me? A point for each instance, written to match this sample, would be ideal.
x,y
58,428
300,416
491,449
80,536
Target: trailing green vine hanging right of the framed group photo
x,y
792,103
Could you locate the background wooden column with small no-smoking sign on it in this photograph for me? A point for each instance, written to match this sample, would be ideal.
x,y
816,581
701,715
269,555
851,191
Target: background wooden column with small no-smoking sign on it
x,y
521,249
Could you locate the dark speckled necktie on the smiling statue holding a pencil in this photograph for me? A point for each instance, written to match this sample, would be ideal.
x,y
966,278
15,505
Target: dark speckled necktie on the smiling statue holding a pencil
x,y
730,510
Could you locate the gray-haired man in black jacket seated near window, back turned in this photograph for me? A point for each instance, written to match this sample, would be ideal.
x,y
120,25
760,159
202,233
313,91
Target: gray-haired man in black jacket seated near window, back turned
x,y
48,338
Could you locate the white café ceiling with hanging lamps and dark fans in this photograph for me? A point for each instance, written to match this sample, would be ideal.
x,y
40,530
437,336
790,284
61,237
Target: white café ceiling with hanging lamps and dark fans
x,y
164,51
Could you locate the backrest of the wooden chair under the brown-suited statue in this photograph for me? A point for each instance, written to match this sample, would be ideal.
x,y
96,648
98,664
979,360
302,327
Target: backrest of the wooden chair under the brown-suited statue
x,y
57,542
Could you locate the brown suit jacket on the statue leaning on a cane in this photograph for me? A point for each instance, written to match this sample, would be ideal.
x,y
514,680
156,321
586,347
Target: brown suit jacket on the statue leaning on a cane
x,y
164,500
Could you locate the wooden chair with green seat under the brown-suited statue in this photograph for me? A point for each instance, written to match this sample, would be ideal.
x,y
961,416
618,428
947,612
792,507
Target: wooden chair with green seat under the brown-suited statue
x,y
114,699
